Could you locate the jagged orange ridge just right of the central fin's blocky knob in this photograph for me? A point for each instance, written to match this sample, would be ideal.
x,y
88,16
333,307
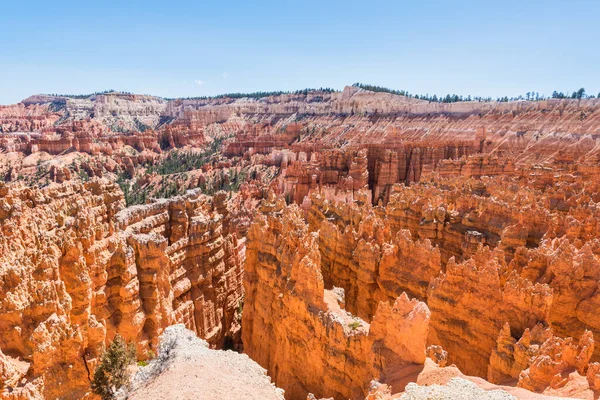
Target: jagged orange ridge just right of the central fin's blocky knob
x,y
470,303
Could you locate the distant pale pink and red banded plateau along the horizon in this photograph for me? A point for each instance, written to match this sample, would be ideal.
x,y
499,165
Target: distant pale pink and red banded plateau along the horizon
x,y
405,138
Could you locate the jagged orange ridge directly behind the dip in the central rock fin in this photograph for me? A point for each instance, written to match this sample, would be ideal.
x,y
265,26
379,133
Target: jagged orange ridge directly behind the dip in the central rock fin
x,y
360,253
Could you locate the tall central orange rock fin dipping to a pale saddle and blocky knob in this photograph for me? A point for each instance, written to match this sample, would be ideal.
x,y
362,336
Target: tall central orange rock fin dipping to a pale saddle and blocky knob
x,y
297,330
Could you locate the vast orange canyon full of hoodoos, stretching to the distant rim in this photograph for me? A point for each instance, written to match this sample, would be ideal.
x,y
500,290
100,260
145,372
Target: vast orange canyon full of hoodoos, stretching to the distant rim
x,y
353,244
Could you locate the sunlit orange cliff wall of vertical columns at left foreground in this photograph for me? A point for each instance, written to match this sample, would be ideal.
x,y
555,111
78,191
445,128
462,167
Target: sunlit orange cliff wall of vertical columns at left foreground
x,y
77,268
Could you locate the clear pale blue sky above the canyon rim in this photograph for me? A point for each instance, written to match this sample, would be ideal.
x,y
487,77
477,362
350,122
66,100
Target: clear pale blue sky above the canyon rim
x,y
195,48
